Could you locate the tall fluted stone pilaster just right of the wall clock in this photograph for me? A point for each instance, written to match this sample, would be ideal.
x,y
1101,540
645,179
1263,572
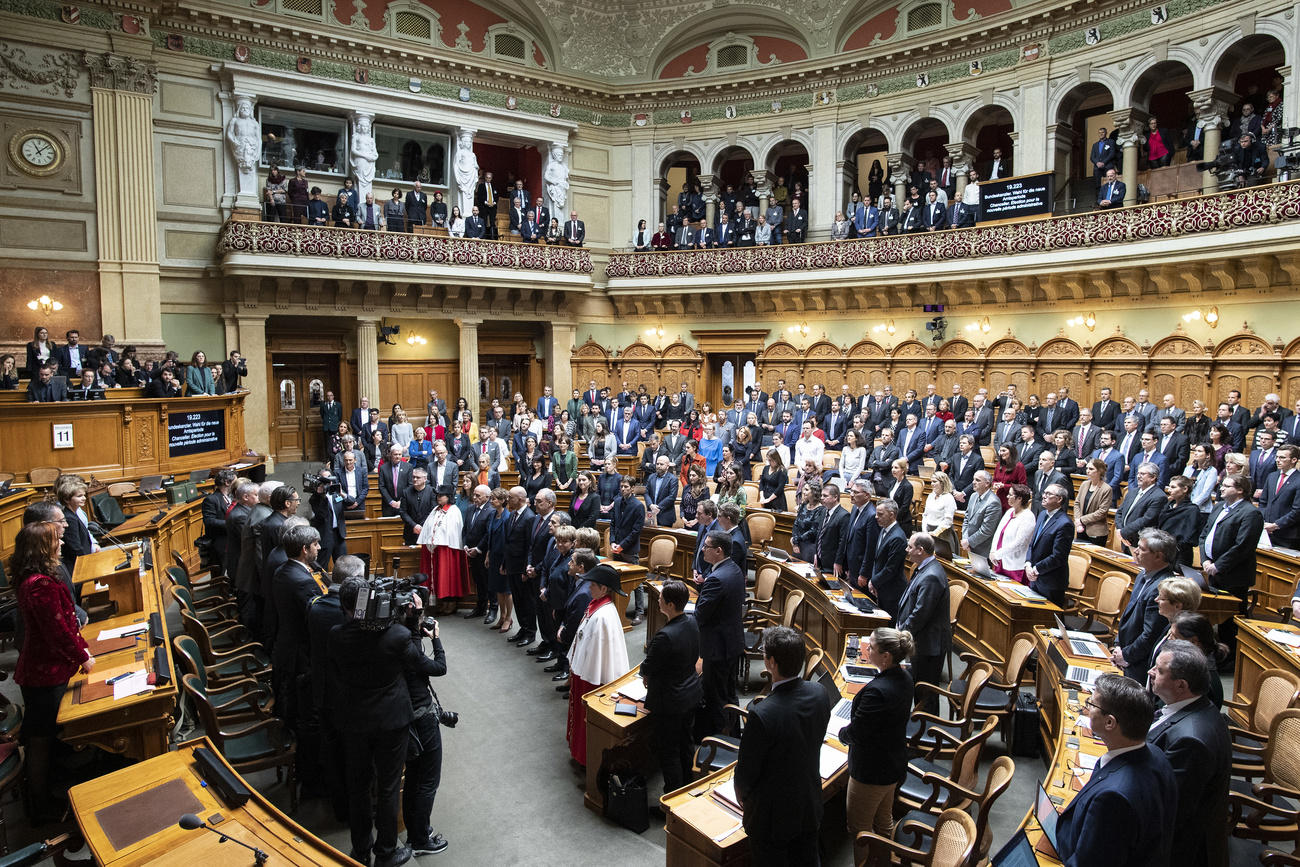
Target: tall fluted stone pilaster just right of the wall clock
x,y
125,202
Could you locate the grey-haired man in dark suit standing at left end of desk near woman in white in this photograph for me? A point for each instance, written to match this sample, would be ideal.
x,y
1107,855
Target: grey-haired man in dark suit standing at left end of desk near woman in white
x,y
924,613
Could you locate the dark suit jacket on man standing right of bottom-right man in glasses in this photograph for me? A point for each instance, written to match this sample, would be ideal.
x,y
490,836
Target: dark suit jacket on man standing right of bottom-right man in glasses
x,y
1195,740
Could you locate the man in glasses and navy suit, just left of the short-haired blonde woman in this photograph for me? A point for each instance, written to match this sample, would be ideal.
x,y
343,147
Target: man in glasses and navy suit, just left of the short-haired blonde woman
x,y
1142,626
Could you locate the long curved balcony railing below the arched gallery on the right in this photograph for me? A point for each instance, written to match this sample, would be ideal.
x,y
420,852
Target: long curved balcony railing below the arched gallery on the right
x,y
1236,210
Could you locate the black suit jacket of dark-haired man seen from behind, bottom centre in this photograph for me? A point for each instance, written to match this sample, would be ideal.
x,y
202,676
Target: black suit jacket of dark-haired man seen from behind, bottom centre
x,y
778,771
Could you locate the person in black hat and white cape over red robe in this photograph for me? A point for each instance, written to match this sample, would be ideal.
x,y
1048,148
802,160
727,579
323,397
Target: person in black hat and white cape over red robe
x,y
599,654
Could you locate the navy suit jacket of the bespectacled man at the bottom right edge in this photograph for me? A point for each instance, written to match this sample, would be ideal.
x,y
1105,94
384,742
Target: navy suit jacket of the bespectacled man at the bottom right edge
x,y
1125,814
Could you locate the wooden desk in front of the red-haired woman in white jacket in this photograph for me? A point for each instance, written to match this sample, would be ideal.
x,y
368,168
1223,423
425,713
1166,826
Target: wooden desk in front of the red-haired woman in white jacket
x,y
993,615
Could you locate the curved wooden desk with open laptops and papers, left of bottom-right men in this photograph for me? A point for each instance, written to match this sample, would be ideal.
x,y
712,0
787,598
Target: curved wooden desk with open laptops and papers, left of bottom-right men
x,y
1060,723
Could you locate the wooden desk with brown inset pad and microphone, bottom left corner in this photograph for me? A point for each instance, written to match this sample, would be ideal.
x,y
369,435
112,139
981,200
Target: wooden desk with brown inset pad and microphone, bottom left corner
x,y
258,823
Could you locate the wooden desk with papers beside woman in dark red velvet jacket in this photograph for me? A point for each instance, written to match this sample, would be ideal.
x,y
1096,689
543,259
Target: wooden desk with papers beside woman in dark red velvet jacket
x,y
137,726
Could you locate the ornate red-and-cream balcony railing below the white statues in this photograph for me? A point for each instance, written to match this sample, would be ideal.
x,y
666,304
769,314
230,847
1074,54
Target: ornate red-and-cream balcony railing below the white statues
x,y
291,240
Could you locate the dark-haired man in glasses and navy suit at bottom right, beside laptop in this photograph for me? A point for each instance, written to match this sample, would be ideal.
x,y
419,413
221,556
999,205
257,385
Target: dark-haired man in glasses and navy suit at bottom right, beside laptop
x,y
1125,813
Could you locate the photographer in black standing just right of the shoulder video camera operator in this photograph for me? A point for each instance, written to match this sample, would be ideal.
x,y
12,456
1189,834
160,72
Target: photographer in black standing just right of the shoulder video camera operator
x,y
424,752
